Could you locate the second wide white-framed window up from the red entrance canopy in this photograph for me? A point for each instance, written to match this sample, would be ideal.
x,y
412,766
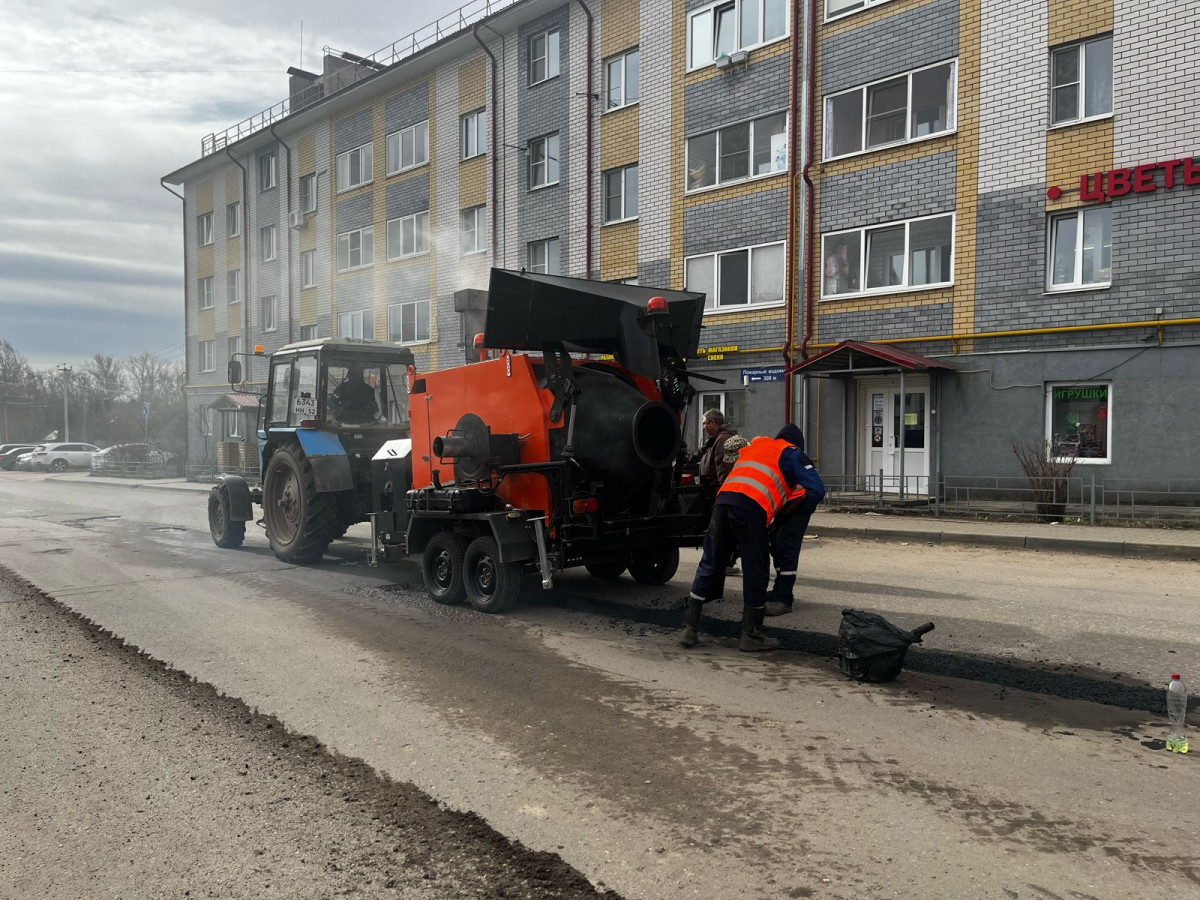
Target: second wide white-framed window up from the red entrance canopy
x,y
897,111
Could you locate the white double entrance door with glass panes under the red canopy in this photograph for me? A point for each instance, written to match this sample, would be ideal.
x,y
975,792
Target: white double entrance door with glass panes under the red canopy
x,y
898,424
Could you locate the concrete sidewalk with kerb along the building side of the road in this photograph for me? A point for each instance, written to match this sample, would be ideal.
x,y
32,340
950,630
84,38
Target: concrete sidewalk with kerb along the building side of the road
x,y
1103,541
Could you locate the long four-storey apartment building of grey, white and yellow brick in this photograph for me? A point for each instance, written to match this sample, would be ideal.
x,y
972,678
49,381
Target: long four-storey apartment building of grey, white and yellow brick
x,y
999,243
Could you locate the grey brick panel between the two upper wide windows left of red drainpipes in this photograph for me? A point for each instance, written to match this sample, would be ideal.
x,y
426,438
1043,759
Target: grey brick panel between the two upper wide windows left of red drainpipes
x,y
736,95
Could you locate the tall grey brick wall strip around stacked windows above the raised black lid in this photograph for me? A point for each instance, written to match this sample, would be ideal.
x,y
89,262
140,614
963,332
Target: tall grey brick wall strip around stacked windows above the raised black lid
x,y
544,110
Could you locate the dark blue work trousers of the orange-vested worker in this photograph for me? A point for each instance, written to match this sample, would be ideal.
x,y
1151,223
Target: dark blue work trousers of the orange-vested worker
x,y
733,529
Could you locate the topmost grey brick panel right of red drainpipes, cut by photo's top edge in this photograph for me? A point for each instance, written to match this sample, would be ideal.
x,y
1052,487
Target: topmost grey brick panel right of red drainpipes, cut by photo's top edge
x,y
897,44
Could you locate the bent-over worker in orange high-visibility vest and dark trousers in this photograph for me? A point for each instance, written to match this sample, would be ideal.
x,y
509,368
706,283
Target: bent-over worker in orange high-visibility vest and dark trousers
x,y
749,500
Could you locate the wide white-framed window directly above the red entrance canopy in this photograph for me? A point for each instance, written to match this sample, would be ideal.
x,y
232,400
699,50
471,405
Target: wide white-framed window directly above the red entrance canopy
x,y
898,256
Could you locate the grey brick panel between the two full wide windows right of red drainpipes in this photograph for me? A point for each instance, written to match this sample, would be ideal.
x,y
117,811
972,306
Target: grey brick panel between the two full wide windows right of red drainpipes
x,y
889,194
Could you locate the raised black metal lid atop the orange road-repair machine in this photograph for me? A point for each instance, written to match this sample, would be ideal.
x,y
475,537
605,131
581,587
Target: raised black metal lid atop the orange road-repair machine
x,y
527,311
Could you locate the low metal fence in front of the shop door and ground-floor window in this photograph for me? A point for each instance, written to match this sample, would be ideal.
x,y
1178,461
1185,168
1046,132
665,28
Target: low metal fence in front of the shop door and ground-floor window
x,y
1087,499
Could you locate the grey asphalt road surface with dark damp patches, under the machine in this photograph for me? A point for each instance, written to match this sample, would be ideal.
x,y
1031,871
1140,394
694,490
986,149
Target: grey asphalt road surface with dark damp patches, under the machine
x,y
1019,755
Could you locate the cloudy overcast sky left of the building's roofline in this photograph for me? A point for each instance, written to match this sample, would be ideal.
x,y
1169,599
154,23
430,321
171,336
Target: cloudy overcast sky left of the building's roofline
x,y
101,99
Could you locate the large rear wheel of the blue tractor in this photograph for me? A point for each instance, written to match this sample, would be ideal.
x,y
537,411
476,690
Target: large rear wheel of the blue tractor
x,y
301,523
